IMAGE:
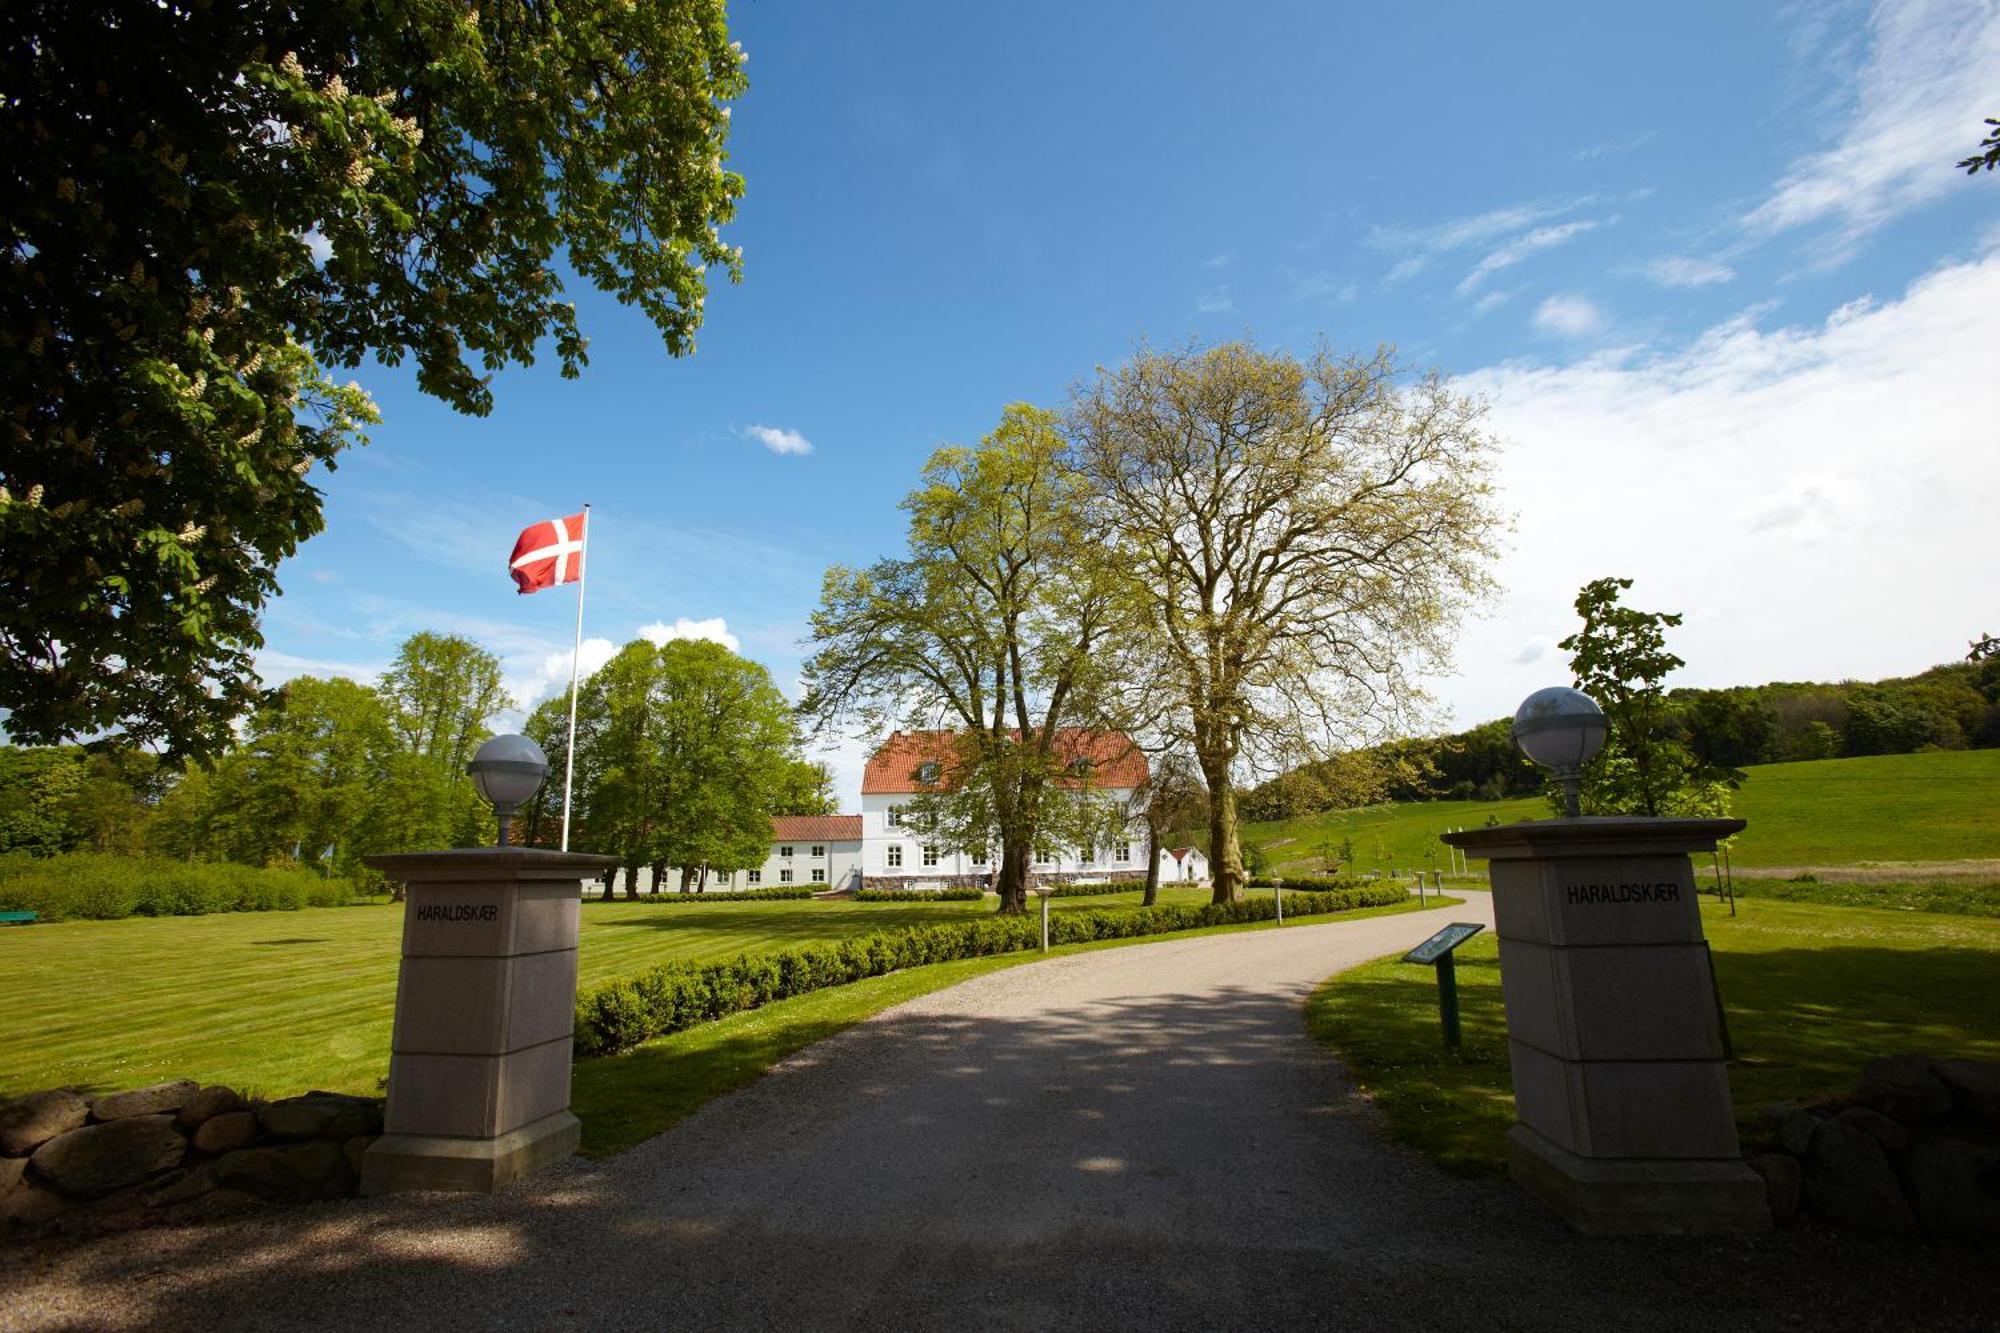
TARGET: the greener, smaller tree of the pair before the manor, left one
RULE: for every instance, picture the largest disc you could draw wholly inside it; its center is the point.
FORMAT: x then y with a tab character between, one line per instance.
991	623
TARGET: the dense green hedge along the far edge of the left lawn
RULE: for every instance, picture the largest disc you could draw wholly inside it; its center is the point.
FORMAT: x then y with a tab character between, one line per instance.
101	888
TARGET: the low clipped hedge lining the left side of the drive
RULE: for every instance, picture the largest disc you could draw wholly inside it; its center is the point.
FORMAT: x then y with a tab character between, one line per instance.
679	996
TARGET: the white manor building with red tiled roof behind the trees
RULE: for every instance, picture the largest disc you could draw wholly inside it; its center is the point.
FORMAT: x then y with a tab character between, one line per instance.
849	852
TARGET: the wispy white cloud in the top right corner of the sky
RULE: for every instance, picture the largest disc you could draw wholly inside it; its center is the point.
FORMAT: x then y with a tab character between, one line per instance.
1923	91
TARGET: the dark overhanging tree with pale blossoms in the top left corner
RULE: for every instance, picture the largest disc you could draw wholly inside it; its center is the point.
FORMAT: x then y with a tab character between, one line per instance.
213	203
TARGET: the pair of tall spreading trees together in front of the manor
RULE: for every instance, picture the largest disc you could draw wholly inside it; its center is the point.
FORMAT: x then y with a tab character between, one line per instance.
1229	553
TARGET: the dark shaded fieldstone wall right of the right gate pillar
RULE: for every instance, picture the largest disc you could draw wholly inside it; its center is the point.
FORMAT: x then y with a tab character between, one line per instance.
1913	1150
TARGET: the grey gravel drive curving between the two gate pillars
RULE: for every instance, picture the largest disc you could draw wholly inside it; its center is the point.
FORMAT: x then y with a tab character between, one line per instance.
1137	1138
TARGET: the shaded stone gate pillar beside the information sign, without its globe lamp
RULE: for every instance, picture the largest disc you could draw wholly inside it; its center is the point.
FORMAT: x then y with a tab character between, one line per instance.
1615	1028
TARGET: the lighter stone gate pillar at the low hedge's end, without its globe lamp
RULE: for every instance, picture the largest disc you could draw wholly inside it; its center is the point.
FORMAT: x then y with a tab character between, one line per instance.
479	1080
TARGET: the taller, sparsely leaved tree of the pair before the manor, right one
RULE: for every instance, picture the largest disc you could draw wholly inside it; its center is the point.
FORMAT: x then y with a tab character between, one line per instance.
1301	537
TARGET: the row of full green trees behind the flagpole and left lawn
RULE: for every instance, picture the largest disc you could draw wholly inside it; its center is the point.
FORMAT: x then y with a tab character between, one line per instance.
683	756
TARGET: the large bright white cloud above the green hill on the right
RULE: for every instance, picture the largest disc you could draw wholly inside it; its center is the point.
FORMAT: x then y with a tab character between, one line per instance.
1825	489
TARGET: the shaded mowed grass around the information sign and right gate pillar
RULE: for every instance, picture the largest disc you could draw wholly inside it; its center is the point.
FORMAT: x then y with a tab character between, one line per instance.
1811	992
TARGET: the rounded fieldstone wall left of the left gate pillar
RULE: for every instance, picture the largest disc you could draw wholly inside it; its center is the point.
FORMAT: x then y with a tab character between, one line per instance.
175	1150
